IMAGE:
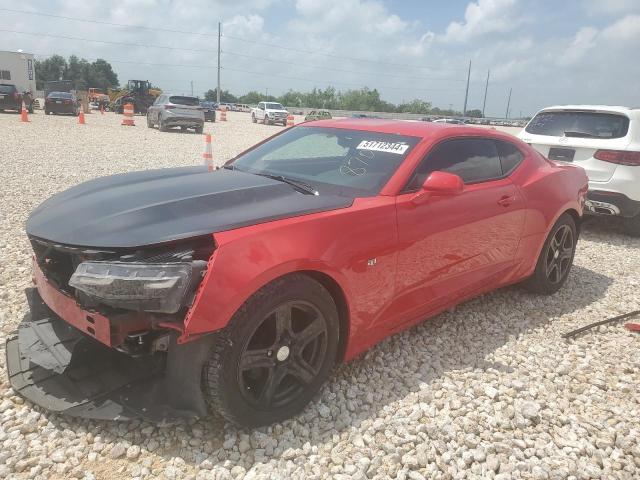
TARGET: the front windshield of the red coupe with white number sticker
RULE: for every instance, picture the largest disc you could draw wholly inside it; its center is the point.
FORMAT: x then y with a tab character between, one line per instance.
332	160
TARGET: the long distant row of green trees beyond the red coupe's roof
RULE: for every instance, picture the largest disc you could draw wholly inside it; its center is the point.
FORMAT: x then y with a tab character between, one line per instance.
363	99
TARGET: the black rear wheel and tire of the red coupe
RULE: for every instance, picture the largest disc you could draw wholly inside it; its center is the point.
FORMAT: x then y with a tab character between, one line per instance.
556	258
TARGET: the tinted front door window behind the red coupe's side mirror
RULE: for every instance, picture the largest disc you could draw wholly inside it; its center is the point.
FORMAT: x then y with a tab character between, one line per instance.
473	159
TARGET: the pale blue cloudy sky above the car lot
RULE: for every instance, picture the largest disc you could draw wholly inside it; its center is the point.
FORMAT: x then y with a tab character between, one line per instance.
547	52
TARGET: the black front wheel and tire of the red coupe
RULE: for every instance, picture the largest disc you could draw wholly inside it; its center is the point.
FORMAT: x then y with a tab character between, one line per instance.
275	354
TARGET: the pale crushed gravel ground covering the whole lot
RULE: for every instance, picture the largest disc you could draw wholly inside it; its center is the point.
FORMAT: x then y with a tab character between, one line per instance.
488	390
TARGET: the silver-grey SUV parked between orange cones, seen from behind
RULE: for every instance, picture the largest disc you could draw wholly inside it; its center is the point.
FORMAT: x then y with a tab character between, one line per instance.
176	111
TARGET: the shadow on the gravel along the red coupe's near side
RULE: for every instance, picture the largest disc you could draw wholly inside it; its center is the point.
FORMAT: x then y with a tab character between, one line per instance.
422	359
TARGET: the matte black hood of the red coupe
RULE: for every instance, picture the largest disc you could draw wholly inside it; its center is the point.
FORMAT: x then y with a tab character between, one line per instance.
156	206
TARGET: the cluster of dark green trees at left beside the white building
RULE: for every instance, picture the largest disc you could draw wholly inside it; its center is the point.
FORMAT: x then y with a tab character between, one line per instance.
82	73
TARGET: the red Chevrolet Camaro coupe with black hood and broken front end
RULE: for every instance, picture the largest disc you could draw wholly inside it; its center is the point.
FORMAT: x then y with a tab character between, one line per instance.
170	293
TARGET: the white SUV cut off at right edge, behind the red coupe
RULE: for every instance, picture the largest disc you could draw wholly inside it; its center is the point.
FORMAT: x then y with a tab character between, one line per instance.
603	140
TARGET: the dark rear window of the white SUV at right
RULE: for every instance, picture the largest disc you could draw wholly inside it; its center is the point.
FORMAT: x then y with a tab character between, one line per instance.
579	124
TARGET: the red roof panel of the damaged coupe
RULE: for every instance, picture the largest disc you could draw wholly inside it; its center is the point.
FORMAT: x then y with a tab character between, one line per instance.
413	128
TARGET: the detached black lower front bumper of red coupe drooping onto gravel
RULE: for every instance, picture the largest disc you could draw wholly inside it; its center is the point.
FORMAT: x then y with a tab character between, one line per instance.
60	368
